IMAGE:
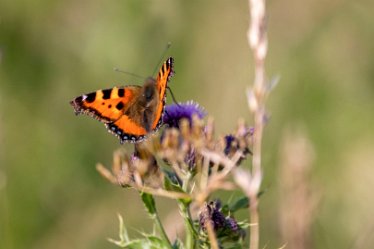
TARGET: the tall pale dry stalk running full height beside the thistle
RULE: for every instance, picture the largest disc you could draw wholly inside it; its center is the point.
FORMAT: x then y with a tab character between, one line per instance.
257	39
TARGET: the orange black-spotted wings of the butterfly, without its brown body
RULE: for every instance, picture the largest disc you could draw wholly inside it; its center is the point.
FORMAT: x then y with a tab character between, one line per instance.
110	106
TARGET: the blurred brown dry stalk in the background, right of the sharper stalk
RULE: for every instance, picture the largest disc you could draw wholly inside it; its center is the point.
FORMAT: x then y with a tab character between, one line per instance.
297	198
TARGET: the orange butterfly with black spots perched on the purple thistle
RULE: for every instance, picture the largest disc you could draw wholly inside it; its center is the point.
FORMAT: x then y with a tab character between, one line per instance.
129	112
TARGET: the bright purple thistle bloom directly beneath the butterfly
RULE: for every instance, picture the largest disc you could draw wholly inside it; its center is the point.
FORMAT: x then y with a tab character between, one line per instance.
175	112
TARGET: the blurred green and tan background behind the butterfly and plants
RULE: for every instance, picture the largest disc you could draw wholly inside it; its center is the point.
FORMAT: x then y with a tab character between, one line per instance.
52	51
